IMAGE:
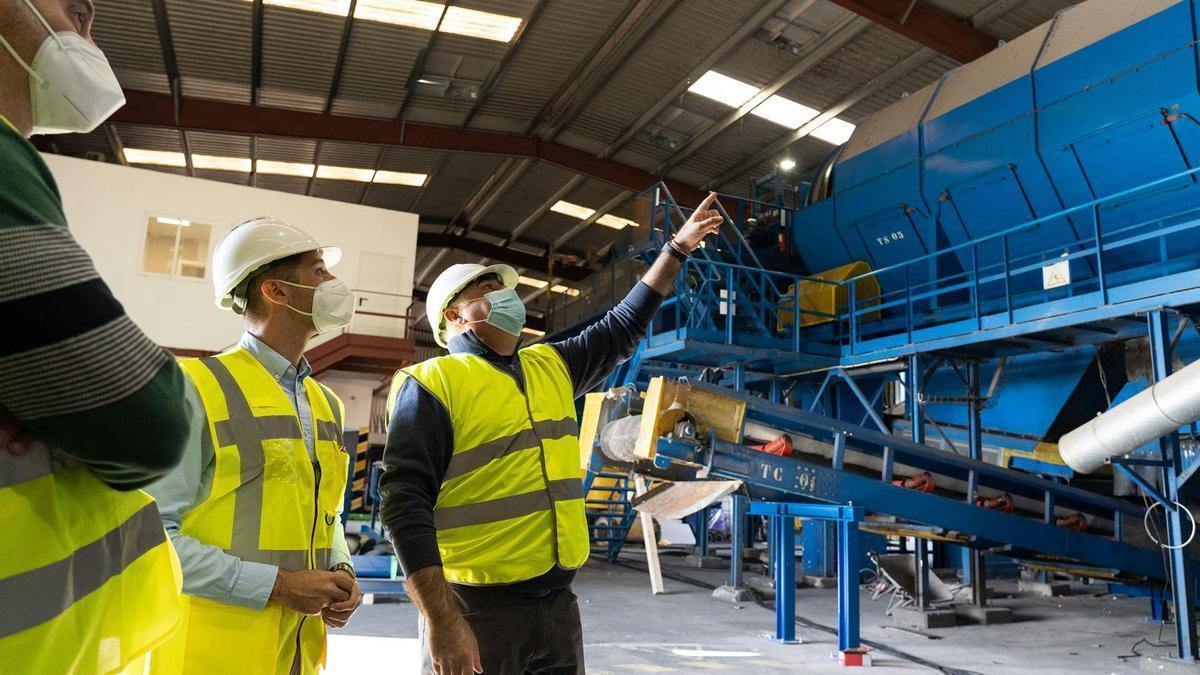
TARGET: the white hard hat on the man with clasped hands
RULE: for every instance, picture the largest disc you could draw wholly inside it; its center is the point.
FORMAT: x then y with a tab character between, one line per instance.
254	244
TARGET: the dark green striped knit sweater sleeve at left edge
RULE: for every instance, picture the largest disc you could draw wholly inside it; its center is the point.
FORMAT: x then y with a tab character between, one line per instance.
74	367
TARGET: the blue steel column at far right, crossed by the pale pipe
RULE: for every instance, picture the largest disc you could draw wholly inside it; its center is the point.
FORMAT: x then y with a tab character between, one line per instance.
1169	447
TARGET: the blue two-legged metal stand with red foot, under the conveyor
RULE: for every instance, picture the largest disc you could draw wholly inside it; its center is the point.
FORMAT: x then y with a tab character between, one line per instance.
783	525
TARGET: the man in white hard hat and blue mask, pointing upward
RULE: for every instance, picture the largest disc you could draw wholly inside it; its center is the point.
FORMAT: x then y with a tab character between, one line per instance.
482	491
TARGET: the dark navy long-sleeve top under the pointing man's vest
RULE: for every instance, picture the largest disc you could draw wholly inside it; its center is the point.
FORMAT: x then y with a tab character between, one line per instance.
421	439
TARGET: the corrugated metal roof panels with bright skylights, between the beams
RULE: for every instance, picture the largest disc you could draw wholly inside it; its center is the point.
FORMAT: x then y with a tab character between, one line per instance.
213	43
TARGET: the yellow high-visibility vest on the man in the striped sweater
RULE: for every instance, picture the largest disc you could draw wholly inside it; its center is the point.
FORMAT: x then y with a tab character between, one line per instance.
89	582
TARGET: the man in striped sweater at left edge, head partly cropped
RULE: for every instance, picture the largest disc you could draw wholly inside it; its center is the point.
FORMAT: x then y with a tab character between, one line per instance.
92	409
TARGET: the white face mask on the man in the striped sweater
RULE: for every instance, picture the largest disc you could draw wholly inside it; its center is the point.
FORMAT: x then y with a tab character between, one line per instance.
73	88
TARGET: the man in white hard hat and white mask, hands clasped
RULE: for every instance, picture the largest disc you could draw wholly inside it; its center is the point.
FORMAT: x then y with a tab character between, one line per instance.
255	509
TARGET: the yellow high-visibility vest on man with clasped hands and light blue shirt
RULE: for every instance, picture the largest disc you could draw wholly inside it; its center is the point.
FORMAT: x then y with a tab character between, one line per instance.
269	503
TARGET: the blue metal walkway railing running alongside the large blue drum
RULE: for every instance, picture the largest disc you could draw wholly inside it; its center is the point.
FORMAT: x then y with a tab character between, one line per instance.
725	288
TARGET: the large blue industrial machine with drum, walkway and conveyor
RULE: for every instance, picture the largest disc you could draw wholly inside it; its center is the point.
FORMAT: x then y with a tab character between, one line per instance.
986	265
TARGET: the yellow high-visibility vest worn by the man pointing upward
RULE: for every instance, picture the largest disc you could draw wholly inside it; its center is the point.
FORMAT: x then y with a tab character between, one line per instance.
512	503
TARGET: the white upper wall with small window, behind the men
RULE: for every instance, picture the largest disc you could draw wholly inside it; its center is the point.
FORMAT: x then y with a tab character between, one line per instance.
131	222
